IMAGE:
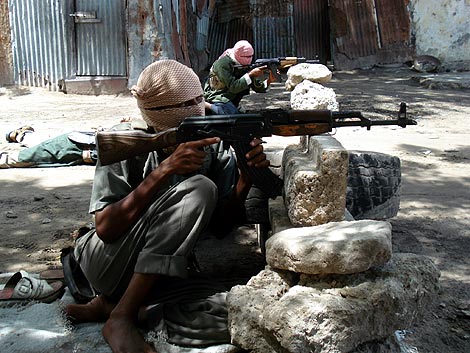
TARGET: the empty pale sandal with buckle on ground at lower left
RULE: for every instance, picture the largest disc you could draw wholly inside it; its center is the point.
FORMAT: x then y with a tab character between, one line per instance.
23	287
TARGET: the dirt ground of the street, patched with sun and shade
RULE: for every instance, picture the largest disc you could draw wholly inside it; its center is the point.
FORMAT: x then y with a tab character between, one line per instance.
42	207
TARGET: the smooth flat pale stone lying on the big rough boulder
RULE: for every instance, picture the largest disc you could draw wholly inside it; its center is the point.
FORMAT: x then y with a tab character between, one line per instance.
336	247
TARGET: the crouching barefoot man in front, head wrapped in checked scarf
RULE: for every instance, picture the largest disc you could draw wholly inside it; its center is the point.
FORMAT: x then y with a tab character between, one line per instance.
150	209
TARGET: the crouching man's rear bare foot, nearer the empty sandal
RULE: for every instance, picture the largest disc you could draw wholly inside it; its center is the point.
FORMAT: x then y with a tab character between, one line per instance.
97	310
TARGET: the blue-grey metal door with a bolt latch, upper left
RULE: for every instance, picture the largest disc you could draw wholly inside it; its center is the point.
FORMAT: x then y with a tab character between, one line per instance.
100	37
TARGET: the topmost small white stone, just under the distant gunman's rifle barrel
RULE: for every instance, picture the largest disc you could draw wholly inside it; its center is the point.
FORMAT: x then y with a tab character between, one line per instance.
318	73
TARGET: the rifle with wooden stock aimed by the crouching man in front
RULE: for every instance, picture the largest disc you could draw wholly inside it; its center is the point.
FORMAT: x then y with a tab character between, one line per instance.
238	130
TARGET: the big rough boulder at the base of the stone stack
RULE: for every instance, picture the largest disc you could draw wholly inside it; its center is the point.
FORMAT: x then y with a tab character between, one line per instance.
334	313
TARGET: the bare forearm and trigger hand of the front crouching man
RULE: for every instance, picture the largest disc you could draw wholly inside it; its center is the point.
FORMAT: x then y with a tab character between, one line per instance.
117	218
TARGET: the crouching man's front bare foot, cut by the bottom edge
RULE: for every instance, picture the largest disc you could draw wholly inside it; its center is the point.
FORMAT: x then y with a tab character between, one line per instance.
124	337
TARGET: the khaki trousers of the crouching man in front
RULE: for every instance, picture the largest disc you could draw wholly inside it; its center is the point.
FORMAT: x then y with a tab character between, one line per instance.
159	243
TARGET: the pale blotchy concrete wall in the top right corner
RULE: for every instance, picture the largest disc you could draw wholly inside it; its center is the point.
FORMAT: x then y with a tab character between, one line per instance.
442	29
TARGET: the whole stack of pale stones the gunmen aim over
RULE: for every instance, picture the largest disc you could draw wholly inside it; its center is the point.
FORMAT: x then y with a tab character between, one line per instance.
331	284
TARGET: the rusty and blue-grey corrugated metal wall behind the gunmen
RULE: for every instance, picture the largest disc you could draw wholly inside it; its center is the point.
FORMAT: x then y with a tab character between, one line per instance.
196	32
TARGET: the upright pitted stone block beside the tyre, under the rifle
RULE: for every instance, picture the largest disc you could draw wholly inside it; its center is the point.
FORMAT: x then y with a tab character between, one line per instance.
315	181
